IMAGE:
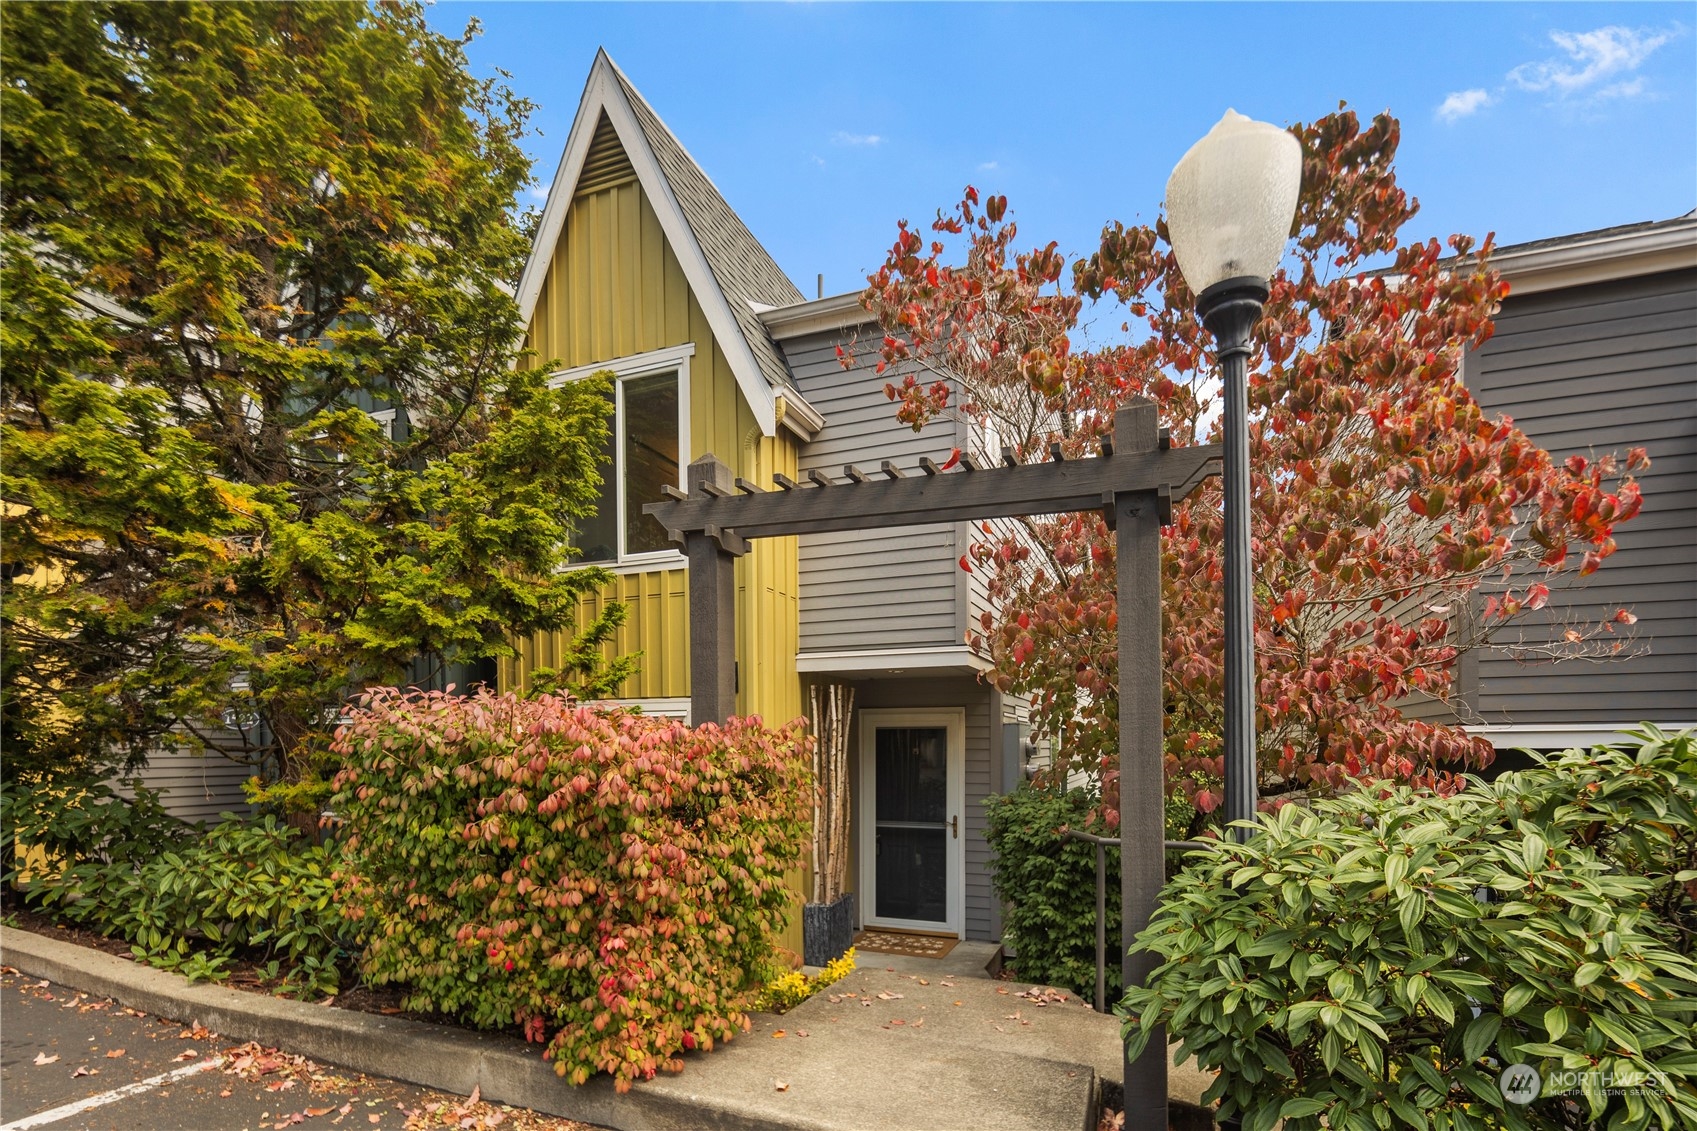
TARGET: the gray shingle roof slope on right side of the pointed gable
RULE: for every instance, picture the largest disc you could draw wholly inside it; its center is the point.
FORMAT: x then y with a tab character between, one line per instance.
741	266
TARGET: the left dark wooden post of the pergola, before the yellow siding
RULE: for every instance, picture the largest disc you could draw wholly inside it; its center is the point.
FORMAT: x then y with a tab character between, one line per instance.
712	607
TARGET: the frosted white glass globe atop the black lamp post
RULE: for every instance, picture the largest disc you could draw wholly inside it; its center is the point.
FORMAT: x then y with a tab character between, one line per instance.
1231	201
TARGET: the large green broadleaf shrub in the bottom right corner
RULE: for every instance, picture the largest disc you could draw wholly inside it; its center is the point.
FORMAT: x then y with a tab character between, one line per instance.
1382	959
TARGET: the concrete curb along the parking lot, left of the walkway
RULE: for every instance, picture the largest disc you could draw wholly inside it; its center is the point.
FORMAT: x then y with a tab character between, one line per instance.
437	1057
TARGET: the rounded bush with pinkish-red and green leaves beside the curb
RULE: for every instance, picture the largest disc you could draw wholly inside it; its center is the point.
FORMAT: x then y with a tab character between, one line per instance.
608	881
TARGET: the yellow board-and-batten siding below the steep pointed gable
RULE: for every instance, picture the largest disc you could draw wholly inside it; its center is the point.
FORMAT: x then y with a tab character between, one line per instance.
615	290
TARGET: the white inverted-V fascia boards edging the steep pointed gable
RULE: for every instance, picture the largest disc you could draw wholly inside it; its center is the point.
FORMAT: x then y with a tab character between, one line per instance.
605	94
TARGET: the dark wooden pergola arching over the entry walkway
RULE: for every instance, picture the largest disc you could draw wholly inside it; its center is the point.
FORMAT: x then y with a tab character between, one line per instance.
1133	483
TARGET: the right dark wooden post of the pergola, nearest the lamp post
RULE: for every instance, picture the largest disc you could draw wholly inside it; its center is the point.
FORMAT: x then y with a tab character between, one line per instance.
1143	724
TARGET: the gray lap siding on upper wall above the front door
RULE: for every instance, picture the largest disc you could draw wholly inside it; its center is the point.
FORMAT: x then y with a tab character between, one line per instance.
871	590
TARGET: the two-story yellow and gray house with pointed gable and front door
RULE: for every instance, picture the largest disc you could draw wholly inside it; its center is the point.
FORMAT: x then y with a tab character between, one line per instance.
642	269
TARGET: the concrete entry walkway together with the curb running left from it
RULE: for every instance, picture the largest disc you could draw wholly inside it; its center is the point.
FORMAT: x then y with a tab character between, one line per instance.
905	1052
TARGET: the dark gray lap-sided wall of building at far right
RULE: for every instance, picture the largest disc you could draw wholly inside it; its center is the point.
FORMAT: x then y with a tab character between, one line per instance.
1588	371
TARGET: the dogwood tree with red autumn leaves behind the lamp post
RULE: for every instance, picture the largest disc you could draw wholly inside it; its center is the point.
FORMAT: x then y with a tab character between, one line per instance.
1384	497
